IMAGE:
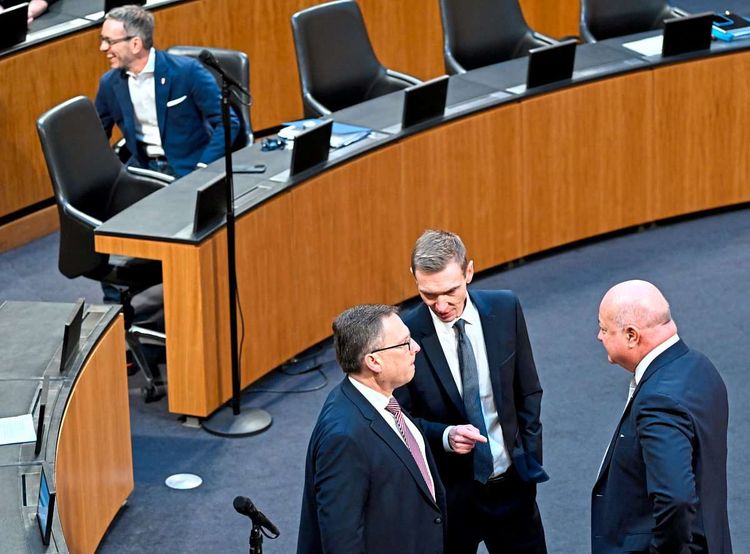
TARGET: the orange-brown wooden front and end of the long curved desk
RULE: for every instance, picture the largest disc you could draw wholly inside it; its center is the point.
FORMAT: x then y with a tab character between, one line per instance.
513	180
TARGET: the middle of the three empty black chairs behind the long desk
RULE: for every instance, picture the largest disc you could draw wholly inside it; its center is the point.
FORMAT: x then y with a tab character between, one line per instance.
477	33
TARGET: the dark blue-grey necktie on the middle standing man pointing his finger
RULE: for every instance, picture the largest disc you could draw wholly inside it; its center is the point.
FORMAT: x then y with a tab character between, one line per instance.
483	464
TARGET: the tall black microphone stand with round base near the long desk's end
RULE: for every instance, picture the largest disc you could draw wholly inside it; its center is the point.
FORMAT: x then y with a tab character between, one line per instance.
236	423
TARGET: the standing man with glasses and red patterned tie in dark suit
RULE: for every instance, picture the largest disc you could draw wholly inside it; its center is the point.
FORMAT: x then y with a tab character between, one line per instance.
370	481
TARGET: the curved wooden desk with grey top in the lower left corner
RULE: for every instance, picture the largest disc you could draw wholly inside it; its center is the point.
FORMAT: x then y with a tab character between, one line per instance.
86	439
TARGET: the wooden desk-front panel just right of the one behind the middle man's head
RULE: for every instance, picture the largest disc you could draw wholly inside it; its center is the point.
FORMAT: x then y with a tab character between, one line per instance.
588	157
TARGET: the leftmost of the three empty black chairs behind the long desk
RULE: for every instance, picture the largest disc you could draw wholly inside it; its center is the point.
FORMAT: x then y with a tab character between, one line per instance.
336	63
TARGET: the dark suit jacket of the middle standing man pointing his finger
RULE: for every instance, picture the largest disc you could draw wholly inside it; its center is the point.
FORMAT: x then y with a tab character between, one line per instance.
432	396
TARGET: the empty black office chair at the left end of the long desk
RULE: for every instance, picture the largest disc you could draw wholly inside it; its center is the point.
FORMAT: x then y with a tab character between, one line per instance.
91	185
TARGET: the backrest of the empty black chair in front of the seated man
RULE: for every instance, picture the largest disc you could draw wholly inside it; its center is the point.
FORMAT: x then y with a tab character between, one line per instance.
83	169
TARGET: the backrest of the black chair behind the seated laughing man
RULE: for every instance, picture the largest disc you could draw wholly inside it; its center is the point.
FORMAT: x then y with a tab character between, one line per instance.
237	64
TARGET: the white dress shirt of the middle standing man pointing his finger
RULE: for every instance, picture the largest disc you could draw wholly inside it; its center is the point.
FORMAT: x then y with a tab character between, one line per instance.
449	342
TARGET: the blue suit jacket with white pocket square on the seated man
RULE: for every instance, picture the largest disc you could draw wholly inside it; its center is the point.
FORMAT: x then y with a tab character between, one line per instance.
188	110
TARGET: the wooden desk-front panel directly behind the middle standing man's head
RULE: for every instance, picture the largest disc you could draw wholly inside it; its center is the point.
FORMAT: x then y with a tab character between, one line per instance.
466	177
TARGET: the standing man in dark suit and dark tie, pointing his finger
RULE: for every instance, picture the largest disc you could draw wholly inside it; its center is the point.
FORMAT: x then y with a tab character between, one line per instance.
477	396
